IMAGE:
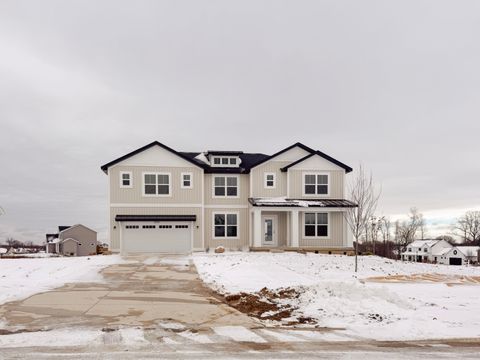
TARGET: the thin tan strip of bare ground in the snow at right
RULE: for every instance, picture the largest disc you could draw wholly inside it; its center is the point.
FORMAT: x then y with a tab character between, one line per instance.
450	280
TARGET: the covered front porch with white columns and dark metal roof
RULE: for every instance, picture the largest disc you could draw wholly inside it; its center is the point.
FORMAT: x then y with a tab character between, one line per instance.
289	224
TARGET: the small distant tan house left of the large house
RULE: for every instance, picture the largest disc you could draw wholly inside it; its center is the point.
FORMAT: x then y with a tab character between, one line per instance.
76	240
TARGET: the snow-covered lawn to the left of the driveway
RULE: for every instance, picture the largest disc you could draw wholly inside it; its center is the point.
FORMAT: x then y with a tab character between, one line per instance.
20	278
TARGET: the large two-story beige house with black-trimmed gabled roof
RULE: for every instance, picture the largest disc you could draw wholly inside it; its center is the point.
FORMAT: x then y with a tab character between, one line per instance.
162	200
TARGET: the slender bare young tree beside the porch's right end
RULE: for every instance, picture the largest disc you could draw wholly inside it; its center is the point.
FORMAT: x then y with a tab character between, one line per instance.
361	192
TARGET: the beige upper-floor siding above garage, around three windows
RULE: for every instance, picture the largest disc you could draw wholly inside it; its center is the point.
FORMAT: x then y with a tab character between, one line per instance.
134	194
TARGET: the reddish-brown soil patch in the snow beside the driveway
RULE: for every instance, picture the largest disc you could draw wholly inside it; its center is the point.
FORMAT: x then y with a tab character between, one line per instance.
267	305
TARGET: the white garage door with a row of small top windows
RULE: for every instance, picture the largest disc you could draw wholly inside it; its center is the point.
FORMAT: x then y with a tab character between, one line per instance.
163	237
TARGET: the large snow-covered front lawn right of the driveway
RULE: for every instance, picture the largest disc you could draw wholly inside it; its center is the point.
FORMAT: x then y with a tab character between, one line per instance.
332	294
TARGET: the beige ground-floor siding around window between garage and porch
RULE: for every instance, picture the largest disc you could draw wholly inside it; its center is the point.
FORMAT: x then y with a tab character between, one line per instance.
243	232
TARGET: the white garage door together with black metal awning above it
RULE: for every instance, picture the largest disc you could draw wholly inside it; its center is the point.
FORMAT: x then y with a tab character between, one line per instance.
156	233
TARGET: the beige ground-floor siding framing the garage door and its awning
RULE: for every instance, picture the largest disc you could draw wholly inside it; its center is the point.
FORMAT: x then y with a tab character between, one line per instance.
115	226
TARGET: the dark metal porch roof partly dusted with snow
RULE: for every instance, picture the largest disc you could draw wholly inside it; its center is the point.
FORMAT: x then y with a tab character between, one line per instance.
284	202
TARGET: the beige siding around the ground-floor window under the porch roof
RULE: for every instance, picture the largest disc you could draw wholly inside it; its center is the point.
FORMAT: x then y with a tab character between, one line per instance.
336	230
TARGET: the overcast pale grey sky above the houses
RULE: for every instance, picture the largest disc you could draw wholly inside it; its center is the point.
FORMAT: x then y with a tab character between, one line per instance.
394	85
